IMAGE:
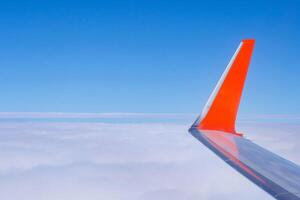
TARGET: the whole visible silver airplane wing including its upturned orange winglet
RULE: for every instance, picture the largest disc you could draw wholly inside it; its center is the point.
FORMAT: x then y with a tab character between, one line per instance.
215	128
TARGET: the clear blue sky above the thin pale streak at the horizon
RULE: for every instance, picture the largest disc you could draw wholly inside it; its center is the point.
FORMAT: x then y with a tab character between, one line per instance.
144	56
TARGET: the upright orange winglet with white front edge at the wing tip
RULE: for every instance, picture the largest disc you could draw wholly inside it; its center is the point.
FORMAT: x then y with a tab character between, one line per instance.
221	109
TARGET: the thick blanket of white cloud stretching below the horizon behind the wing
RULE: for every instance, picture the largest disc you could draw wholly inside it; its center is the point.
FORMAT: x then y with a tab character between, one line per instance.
41	161
